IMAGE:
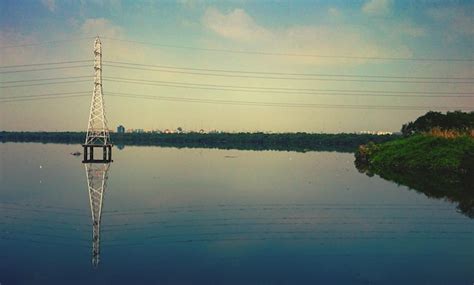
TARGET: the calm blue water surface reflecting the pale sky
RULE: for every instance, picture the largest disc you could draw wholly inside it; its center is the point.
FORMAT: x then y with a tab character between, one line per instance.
192	216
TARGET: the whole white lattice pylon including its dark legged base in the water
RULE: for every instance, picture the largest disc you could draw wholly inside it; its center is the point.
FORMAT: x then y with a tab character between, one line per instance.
97	131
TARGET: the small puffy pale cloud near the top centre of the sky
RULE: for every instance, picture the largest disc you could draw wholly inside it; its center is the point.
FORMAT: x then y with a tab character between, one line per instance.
235	25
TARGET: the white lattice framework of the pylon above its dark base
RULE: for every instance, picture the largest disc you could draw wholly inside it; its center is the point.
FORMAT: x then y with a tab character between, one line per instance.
97	130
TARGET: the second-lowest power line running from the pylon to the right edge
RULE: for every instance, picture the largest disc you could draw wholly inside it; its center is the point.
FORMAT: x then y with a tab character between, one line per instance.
234	88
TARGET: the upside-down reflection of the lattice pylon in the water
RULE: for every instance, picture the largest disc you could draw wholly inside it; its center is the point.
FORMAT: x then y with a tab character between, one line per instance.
97	174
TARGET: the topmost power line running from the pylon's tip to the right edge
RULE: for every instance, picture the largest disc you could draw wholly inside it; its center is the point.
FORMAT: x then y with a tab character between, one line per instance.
292	54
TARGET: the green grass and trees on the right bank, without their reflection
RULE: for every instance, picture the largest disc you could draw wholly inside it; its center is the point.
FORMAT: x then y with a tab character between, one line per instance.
434	142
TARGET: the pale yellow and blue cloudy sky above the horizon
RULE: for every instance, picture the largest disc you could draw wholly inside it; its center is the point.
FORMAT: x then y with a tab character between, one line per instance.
292	65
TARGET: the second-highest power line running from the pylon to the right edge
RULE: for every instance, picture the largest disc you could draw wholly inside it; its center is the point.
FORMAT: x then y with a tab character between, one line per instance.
288	74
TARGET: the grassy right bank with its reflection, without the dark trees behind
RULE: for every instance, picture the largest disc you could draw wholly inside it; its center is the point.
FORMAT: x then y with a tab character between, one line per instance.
435	166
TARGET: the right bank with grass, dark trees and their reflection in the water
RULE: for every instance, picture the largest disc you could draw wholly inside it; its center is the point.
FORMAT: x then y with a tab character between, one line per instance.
435	157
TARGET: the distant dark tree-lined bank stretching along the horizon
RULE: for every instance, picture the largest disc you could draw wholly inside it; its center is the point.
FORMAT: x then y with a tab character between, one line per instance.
300	142
